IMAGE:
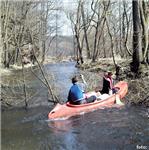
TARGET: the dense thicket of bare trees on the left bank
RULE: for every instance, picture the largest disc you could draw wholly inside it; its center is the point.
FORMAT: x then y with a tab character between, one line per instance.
25	28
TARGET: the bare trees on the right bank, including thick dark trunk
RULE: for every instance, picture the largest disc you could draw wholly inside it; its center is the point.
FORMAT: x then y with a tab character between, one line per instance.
112	28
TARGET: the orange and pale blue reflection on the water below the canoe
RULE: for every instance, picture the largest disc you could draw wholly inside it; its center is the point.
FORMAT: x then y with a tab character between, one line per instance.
66	134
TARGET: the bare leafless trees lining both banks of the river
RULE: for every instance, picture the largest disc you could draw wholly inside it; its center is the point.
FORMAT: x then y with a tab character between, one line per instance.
104	28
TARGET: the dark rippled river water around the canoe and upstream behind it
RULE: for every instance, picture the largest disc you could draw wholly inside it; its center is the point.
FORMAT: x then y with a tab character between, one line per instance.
106	129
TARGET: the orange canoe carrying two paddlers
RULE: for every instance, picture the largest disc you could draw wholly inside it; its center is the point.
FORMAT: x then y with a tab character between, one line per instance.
67	110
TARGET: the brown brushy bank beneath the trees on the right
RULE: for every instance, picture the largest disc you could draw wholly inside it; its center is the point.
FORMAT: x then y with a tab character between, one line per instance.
138	92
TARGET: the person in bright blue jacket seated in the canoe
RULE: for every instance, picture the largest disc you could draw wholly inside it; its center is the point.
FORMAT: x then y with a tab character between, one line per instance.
76	94
